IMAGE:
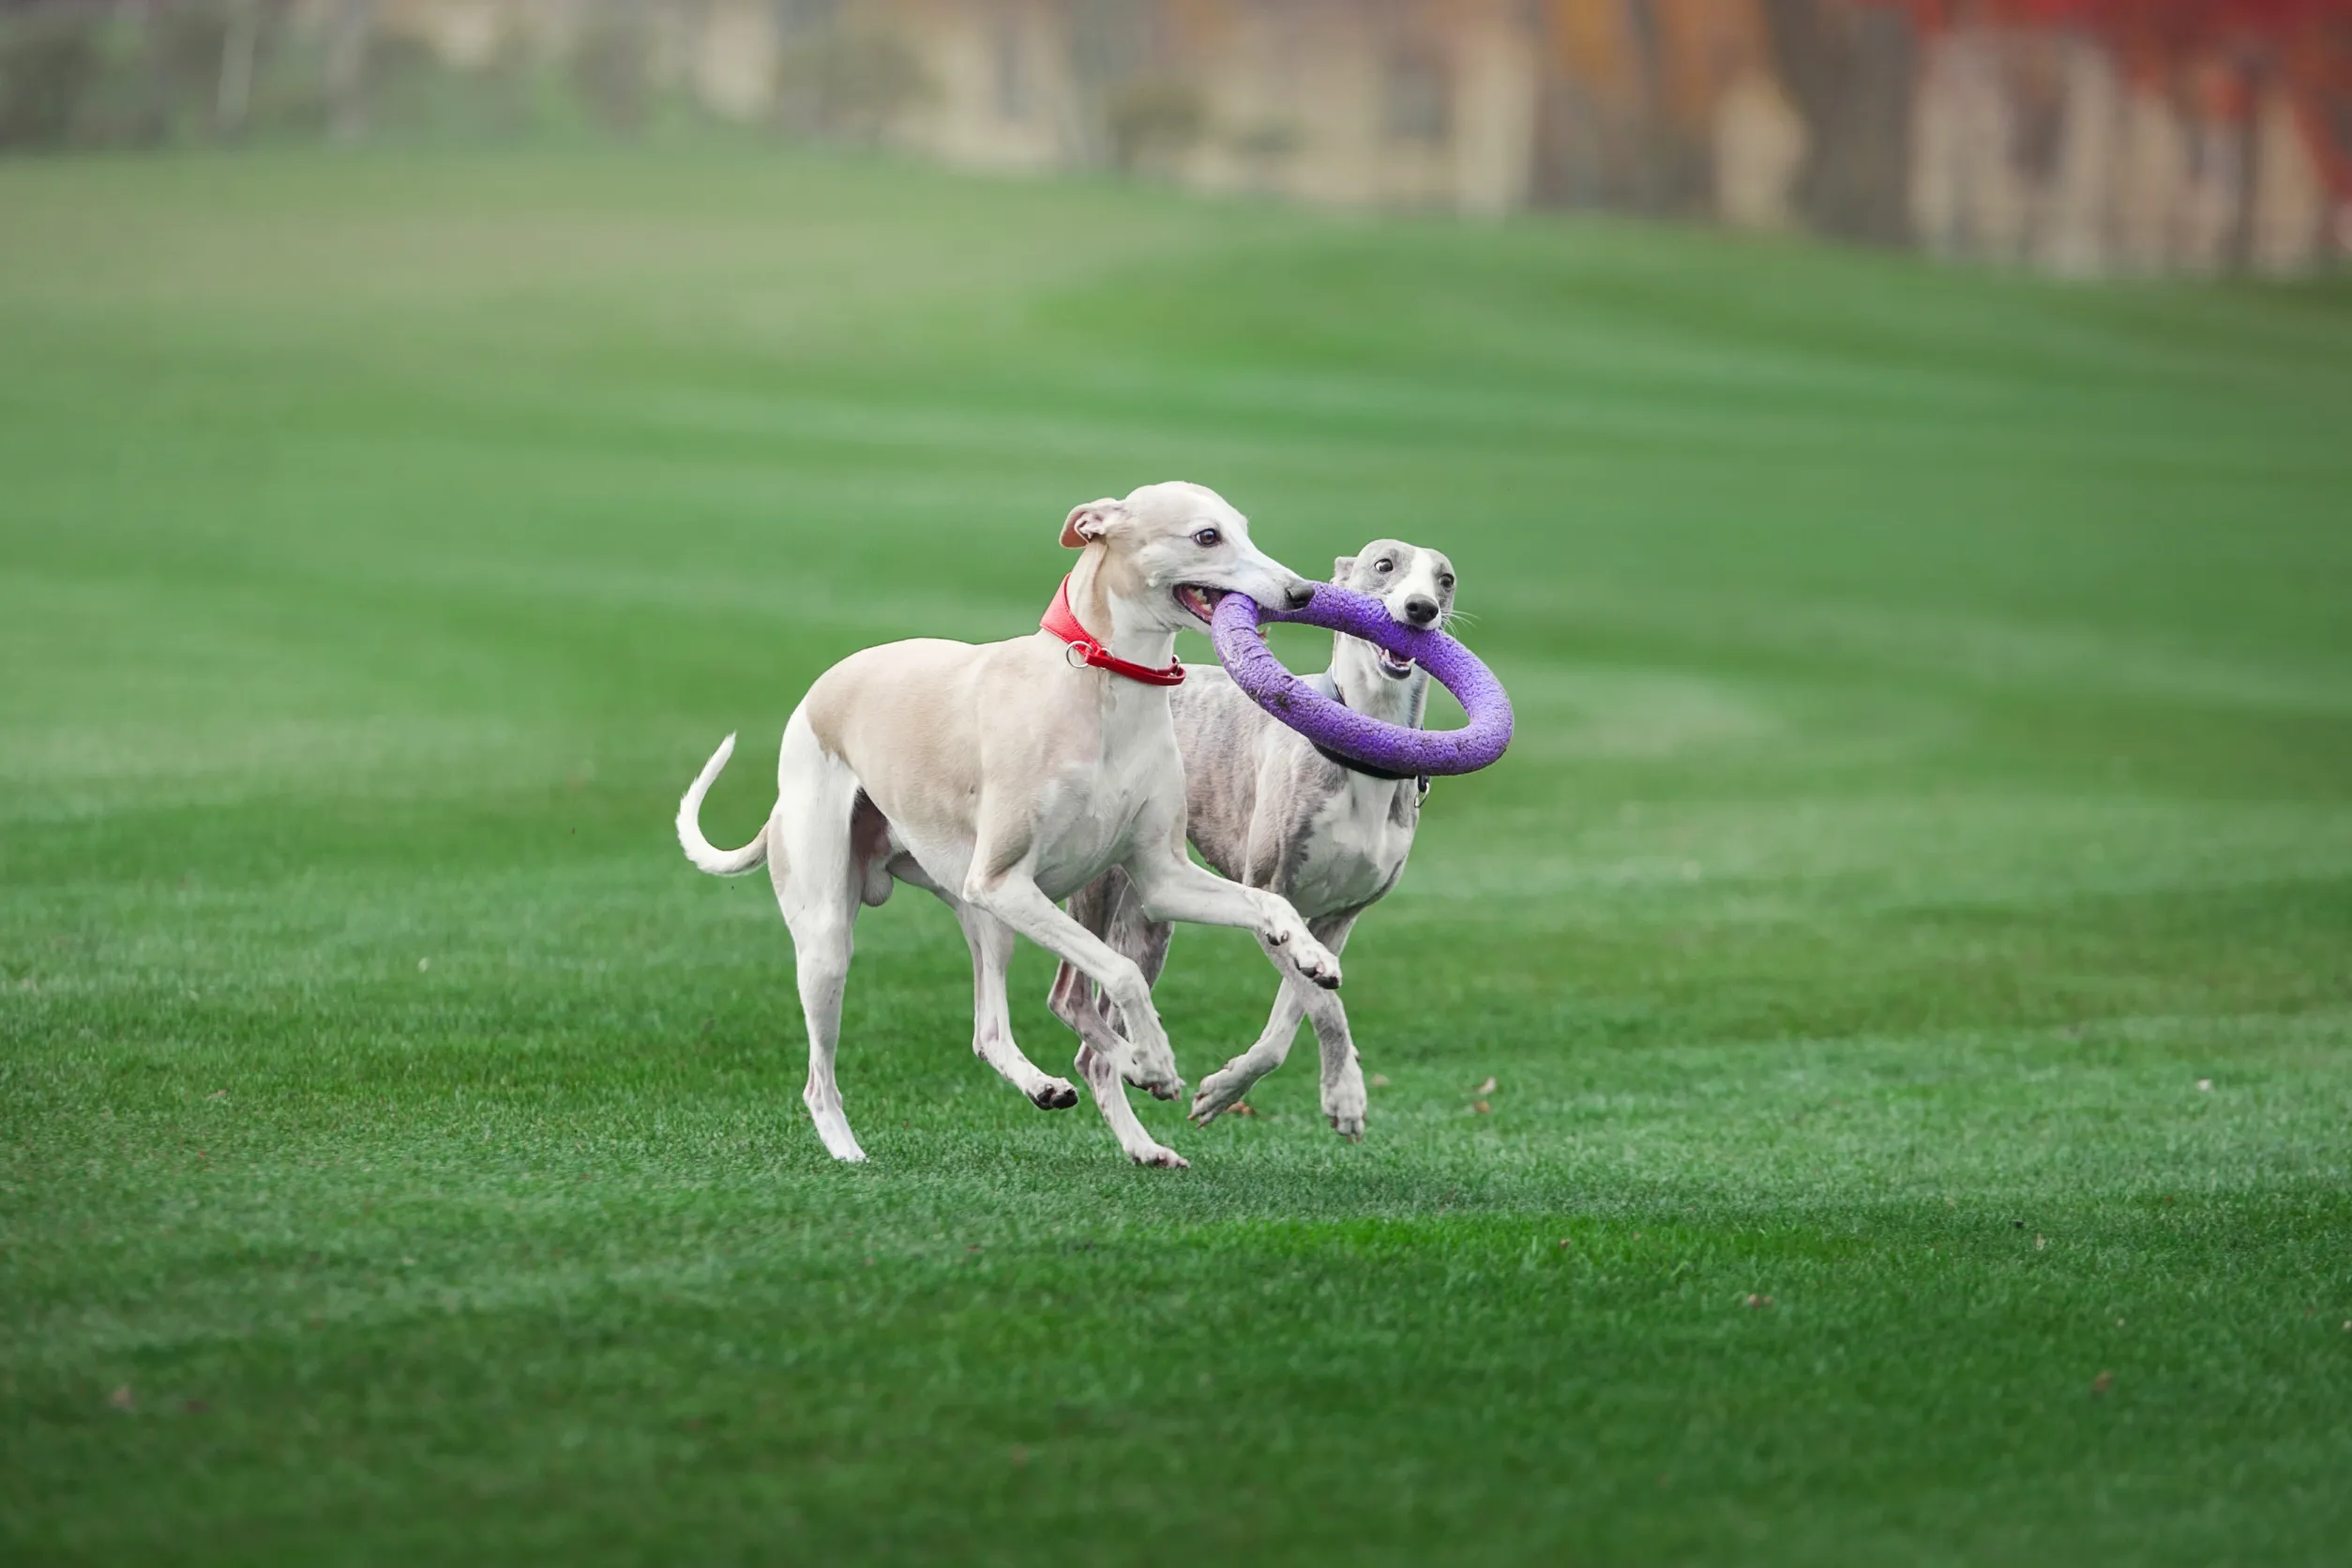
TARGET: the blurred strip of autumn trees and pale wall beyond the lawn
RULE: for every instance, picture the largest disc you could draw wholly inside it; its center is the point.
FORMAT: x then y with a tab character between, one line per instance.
2083	138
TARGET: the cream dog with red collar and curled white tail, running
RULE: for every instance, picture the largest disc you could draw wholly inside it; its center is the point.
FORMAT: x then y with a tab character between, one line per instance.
1008	777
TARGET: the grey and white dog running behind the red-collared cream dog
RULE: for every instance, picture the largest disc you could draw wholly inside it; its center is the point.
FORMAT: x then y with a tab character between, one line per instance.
1276	812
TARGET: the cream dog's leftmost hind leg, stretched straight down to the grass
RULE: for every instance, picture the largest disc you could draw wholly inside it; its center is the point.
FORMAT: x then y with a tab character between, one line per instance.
820	887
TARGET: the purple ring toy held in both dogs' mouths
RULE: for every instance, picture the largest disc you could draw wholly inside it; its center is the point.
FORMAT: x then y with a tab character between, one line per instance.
1384	749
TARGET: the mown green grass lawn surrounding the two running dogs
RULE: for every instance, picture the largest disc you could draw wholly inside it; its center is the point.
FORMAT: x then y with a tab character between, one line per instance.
1920	892
